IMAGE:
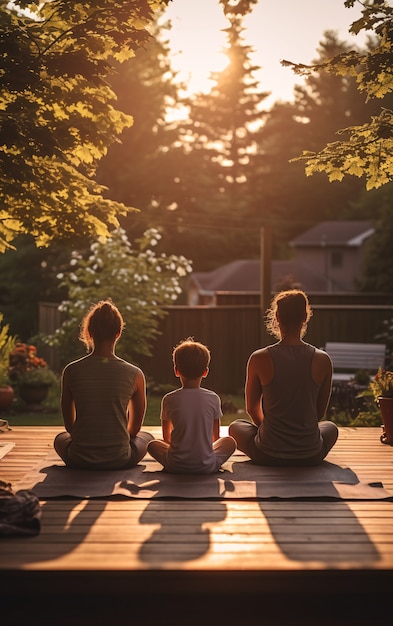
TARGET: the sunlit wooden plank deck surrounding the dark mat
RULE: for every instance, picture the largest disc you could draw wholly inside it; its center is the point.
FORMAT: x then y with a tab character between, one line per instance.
212	562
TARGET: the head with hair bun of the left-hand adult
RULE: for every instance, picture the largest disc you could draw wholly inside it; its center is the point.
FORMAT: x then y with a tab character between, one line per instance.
103	322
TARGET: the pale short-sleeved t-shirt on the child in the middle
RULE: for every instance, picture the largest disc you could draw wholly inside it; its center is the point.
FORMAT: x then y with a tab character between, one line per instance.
192	413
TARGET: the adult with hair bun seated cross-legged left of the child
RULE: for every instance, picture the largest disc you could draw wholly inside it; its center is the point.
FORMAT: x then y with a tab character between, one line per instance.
103	399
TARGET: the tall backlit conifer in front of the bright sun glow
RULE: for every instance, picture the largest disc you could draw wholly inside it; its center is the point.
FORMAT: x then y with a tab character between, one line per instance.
219	139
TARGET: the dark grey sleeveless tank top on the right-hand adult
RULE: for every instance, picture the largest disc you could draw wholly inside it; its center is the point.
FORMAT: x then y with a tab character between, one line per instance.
289	402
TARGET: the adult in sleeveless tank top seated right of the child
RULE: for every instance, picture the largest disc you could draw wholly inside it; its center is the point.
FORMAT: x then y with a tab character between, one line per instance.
287	392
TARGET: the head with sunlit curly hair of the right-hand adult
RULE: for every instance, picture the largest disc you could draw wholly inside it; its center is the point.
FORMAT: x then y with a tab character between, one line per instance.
293	310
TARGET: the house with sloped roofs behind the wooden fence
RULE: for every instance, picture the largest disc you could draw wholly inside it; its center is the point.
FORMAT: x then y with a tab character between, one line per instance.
327	258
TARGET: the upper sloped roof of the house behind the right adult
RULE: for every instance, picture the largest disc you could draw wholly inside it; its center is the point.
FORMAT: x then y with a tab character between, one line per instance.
345	233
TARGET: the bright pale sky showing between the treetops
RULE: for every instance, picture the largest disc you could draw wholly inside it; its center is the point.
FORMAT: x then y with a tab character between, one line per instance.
276	30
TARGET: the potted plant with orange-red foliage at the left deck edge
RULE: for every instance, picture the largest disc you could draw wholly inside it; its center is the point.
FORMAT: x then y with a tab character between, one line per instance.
30	373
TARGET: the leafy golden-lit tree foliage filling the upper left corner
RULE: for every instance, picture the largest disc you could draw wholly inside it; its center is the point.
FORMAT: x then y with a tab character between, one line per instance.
58	113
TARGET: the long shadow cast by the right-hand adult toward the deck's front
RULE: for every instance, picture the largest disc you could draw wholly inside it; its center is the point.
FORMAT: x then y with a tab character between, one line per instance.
331	534
